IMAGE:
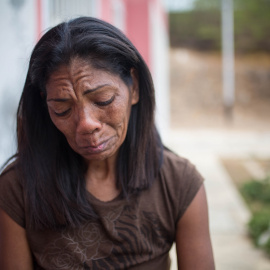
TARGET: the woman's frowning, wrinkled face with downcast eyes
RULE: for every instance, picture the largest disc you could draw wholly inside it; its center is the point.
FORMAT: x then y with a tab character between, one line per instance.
91	107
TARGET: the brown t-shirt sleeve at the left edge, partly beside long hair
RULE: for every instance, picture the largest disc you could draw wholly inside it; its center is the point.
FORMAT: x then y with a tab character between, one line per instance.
11	195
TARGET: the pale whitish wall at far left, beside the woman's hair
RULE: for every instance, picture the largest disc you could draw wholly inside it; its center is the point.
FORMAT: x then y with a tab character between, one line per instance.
17	35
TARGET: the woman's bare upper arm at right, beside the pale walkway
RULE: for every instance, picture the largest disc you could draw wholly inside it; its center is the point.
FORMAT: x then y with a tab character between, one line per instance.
193	244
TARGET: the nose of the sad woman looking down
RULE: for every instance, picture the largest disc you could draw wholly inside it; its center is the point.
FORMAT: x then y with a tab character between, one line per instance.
87	121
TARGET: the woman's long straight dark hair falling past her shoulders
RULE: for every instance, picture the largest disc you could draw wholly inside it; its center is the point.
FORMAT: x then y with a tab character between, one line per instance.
52	173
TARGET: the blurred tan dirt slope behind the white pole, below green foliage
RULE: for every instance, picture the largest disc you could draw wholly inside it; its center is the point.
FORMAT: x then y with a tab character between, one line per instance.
196	91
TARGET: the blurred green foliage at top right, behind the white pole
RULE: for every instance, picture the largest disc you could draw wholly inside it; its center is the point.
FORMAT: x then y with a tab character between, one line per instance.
200	28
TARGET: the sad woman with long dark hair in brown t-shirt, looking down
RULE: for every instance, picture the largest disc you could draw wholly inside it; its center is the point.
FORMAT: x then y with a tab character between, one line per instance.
92	186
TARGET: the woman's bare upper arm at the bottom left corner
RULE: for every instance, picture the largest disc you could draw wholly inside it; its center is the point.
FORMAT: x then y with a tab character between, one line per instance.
14	249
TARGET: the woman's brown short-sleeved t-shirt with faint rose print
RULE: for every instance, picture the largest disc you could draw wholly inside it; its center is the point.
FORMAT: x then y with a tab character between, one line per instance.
131	234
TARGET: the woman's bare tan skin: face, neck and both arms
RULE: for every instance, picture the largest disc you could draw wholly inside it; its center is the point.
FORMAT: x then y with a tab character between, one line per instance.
91	108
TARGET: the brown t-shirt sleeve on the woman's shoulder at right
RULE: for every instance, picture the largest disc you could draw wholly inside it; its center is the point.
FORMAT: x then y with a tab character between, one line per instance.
190	183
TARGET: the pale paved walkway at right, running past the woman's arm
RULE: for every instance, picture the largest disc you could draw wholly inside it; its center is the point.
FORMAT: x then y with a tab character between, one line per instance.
228	214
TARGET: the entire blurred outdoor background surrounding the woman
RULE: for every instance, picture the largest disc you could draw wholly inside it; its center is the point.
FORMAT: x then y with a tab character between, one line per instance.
210	61
